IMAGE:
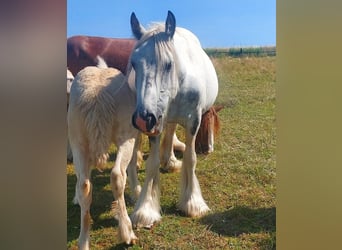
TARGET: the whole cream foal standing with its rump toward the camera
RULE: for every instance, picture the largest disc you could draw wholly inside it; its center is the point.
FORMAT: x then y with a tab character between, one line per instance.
100	108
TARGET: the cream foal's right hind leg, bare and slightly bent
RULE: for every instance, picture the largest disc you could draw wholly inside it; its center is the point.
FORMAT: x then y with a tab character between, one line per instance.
118	181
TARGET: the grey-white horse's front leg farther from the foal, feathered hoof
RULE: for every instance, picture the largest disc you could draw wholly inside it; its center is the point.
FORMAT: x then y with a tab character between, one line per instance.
191	200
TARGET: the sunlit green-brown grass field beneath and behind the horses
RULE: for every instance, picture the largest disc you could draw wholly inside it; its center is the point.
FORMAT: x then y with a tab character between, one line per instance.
238	179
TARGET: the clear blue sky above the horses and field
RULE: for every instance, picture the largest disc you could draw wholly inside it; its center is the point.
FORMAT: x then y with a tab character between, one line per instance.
217	23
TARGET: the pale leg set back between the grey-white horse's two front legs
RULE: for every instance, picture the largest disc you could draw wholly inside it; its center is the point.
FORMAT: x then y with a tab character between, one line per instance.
168	159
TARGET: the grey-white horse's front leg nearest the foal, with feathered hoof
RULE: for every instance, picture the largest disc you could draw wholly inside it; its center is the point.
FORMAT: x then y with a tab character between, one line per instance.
147	208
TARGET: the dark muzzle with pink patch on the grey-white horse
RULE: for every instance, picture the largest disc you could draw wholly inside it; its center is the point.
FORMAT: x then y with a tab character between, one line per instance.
145	122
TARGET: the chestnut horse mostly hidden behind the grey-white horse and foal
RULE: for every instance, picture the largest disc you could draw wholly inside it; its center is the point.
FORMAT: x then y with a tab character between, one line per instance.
83	51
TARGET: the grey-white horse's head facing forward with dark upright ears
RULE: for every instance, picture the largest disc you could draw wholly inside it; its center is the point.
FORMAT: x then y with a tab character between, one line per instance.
153	62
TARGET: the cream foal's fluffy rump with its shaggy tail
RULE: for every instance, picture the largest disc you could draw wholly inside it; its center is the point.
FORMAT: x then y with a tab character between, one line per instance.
99	103
